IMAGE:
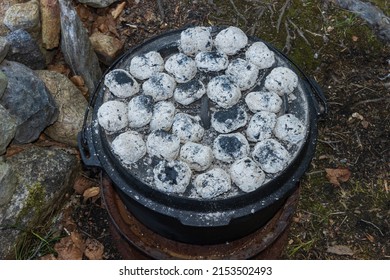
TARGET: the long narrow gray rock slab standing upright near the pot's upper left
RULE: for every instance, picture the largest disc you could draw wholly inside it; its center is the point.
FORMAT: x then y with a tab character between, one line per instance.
76	47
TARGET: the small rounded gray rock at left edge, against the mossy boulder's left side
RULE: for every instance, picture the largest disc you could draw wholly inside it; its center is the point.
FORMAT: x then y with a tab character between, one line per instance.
8	183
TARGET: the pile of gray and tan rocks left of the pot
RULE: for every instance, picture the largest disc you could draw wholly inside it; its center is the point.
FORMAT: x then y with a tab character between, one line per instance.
36	101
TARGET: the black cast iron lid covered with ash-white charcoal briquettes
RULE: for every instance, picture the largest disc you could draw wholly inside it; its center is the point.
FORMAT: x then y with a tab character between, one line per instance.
267	115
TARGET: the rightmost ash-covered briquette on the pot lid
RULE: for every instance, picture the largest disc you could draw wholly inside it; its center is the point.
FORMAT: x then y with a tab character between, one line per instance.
289	128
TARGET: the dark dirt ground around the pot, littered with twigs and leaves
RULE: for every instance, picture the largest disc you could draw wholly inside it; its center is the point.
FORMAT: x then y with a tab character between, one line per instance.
344	207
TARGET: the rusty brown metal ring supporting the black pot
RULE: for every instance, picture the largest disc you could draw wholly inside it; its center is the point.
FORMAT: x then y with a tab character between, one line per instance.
135	241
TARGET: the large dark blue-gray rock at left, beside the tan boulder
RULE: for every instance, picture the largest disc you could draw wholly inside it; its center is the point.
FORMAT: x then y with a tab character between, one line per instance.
28	100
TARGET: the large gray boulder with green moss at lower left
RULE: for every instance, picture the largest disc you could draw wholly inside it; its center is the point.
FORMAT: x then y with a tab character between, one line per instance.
44	175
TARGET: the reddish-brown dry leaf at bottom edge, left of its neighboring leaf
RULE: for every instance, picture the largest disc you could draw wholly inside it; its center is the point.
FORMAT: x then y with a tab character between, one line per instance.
70	247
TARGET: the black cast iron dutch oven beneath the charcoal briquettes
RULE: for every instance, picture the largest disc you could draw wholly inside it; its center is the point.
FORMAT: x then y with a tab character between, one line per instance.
187	219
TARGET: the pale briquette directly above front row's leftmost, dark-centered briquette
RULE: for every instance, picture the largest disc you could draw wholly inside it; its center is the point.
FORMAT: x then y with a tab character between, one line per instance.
163	145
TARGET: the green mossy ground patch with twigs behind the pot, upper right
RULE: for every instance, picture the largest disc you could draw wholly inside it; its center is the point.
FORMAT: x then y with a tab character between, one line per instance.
301	30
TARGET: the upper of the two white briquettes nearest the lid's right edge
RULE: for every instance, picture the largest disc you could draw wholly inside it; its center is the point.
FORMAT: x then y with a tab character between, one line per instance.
281	80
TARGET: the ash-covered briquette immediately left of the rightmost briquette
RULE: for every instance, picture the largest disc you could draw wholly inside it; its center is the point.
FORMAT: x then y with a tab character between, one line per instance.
261	126
